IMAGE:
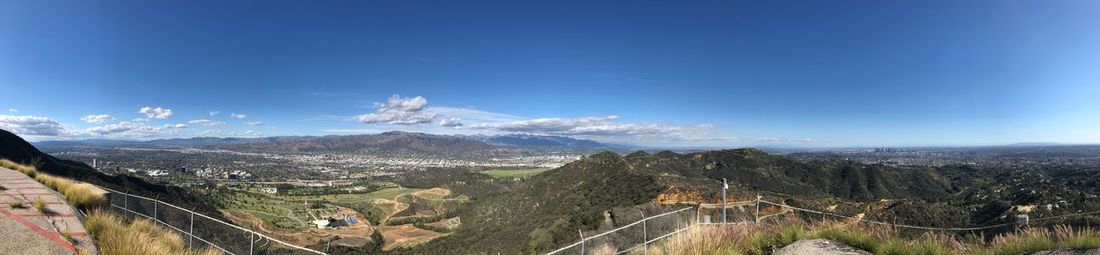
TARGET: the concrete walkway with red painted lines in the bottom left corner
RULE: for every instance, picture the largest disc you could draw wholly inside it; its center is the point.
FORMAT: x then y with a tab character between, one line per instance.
27	231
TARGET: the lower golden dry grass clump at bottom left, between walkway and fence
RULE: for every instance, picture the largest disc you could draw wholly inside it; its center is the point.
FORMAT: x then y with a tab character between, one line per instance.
117	237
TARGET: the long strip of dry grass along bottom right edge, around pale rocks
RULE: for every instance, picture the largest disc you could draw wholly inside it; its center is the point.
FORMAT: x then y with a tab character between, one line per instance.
765	239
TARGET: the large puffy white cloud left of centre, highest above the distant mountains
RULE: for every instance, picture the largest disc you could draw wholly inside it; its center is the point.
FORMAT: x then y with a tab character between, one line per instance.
398	110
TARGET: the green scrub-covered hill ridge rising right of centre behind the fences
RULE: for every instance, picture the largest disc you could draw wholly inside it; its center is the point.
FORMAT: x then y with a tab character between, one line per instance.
606	191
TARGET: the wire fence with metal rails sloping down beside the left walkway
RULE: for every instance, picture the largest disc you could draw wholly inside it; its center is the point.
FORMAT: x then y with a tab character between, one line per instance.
199	231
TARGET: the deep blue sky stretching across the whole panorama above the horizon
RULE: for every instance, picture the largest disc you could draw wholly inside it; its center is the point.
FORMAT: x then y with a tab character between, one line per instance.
647	73
